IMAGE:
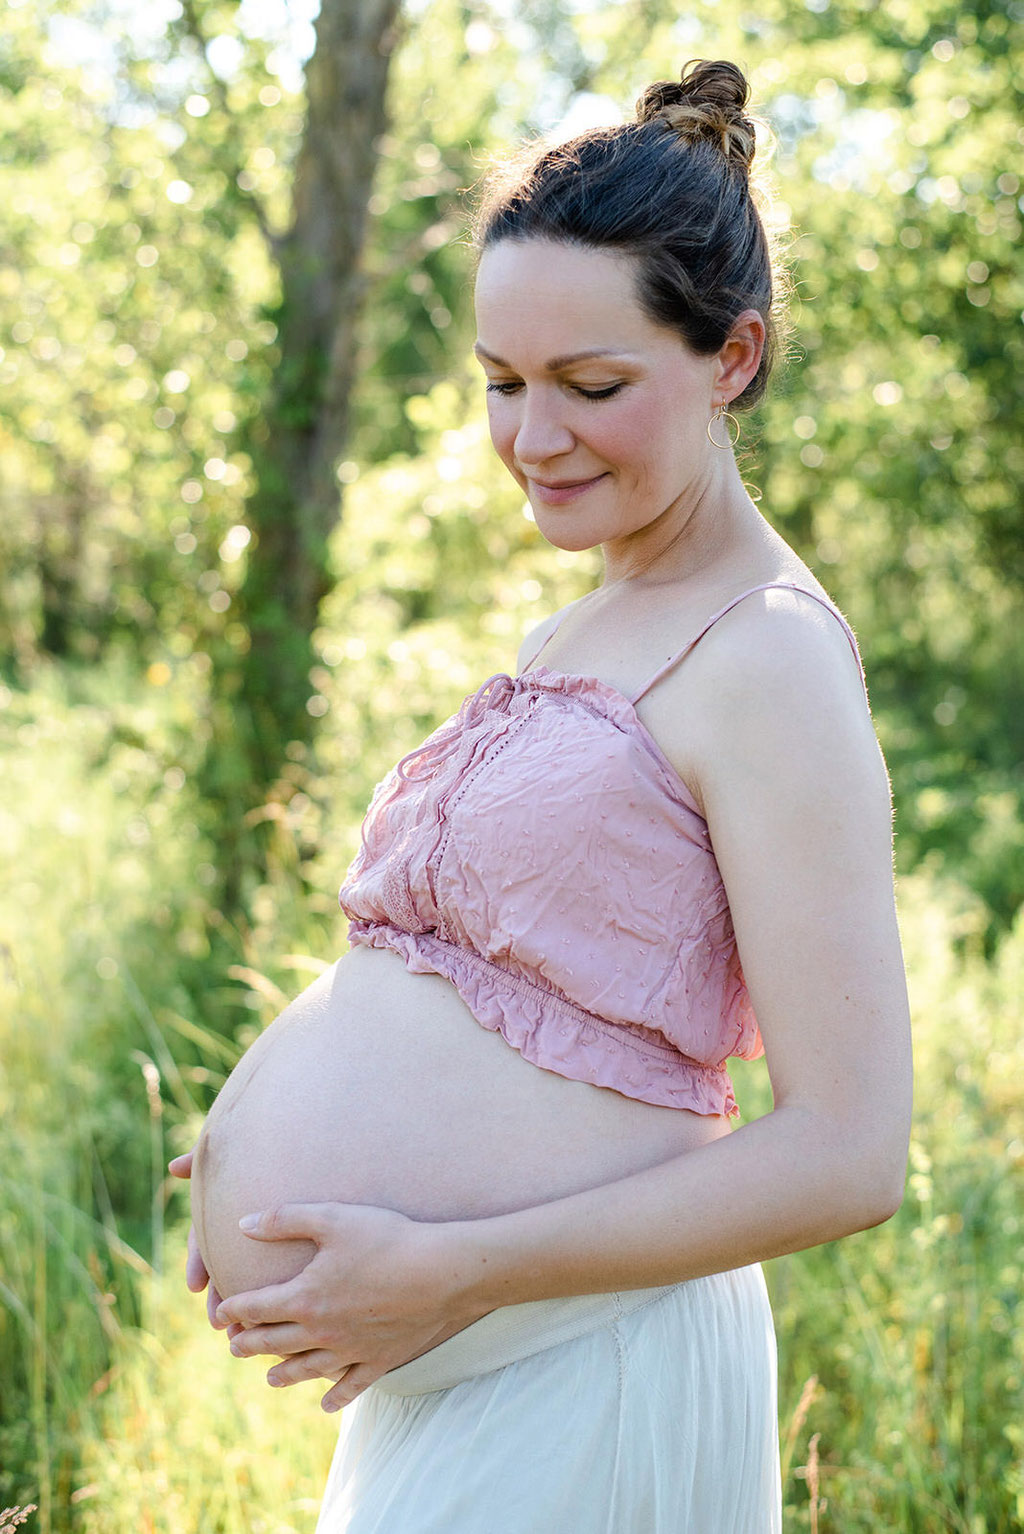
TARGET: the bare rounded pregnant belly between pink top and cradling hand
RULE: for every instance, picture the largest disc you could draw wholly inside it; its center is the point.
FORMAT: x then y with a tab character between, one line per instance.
378	1087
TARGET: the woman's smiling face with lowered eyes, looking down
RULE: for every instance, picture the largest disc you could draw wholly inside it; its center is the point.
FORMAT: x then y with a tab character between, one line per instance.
599	413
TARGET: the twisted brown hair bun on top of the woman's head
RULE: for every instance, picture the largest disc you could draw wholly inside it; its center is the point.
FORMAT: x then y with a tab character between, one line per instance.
707	104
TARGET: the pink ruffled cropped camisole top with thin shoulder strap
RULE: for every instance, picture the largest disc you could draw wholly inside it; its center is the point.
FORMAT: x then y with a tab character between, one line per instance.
540	852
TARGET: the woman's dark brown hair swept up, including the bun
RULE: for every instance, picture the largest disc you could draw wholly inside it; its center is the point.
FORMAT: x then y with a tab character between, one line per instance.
671	189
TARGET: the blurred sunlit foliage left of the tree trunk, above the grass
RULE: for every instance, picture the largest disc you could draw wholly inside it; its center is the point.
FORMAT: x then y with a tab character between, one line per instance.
128	306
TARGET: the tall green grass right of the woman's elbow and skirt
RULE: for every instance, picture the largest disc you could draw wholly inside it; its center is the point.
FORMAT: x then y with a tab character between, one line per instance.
916	1331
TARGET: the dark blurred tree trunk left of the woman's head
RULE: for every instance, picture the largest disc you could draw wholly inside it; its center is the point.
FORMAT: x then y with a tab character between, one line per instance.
306	424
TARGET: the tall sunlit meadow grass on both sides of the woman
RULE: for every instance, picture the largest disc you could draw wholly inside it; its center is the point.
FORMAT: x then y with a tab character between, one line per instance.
902	1349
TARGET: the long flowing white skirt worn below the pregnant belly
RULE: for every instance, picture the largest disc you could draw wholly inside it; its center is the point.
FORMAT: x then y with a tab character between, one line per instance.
649	1412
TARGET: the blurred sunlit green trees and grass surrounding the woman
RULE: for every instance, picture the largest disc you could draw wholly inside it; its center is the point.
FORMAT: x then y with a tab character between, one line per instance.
174	835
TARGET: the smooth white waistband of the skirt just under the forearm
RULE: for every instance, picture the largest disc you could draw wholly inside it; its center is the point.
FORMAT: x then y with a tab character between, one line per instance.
514	1332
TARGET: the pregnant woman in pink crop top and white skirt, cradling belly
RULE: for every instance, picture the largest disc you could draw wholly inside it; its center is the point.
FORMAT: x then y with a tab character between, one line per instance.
496	1193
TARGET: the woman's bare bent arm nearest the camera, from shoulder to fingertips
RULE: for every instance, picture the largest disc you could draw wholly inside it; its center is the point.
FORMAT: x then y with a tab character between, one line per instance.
798	803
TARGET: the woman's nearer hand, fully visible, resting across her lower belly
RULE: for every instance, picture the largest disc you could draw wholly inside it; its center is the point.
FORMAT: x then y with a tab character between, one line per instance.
381	1291
